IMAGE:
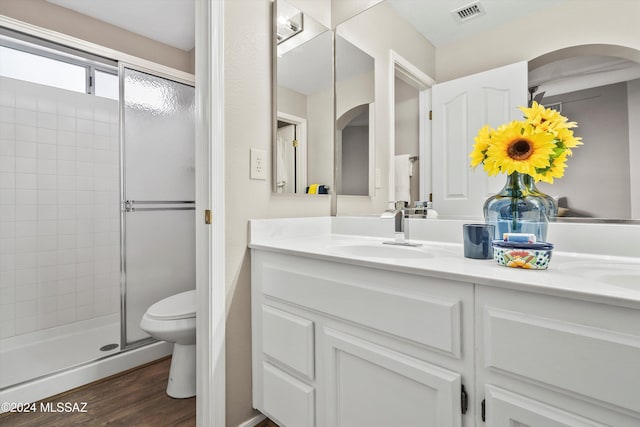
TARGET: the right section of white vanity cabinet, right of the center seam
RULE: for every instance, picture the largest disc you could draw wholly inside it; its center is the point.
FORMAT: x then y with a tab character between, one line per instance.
546	361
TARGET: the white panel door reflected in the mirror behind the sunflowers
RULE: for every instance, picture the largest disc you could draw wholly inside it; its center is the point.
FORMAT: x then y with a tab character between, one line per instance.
460	108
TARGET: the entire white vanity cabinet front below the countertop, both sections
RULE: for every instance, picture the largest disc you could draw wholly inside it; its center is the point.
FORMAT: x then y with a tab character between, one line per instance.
354	343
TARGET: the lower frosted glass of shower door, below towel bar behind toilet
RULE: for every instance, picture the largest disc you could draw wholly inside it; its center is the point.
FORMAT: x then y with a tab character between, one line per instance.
161	261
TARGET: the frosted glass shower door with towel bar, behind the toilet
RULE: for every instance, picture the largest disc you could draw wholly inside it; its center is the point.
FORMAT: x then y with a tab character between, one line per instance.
158	194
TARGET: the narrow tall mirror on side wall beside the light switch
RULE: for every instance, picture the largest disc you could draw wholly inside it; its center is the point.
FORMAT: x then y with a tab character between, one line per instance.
302	142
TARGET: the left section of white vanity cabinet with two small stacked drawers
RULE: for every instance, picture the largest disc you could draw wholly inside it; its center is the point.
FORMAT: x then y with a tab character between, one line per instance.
339	344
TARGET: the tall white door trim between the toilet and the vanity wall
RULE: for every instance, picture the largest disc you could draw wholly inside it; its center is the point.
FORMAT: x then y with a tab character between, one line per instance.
210	240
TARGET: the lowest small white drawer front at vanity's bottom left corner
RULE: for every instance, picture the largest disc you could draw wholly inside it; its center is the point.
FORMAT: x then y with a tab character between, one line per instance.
288	401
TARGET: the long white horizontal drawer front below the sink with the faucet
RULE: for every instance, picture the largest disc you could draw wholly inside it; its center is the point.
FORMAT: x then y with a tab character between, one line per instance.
420	309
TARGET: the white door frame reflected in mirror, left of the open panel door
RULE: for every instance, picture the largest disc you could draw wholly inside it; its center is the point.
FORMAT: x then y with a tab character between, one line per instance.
403	69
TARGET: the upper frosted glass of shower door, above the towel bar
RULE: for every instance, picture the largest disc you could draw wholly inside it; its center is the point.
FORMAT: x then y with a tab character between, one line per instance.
159	138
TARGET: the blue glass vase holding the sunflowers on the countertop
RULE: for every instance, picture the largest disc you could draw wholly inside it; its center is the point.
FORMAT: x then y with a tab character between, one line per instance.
520	208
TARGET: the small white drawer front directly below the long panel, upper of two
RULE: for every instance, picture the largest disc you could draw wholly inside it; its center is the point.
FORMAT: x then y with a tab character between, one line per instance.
288	339
